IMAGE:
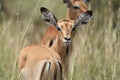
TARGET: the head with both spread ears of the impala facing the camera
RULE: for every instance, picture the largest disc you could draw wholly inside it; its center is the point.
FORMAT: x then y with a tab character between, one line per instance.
66	28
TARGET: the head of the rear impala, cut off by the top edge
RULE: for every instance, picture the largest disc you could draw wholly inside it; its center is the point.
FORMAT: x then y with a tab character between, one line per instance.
76	7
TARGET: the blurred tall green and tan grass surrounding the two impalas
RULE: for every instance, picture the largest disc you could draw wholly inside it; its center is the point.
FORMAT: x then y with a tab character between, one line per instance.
96	54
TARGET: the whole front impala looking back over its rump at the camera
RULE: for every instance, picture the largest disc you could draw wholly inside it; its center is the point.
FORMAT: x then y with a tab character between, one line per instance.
36	62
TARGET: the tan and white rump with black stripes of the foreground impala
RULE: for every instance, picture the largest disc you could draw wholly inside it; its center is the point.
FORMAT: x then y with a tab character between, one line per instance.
41	63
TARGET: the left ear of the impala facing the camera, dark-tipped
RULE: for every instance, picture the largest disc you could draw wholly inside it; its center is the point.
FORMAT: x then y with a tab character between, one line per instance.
48	17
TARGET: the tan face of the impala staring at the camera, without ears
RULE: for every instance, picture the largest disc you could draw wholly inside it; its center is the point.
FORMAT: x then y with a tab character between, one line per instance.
66	30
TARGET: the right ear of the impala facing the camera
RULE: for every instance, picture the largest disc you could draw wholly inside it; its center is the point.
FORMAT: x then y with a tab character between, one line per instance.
83	19
